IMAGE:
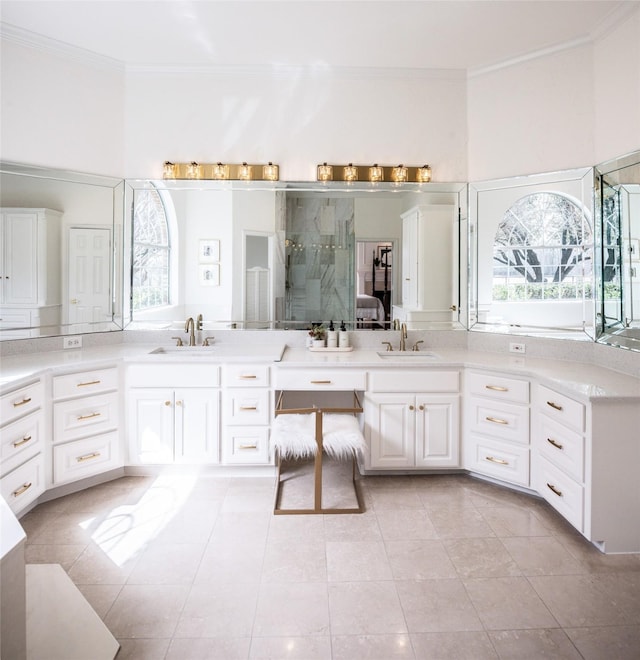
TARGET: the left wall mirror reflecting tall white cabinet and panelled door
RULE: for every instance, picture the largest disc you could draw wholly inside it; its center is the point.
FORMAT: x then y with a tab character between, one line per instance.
61	252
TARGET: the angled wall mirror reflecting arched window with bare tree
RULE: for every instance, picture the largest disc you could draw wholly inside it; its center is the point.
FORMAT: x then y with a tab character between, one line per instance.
532	256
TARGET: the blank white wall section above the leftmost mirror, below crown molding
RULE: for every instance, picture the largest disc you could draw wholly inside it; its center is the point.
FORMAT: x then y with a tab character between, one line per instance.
58	112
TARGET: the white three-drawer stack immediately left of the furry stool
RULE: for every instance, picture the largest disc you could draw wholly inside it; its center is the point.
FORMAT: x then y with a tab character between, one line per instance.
246	414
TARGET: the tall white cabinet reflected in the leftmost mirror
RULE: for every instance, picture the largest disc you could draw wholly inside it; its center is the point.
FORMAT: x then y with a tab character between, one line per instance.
30	294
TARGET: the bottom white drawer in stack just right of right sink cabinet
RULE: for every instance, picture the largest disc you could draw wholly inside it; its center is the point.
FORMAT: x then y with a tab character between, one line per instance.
501	460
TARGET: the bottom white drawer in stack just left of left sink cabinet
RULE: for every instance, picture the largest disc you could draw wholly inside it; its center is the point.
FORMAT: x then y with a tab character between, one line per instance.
82	458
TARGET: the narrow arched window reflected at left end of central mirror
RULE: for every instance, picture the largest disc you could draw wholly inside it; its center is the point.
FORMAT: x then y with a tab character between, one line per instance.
151	251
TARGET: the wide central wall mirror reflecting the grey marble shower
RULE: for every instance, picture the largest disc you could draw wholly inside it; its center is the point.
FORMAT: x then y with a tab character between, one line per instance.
286	255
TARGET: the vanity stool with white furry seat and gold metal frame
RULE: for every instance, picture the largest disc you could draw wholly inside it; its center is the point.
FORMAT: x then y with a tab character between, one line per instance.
304	433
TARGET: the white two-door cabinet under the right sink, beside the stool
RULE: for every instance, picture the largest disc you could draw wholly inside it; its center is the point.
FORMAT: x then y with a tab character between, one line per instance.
412	420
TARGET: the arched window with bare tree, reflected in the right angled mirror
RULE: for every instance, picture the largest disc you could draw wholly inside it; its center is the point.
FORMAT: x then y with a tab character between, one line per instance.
543	251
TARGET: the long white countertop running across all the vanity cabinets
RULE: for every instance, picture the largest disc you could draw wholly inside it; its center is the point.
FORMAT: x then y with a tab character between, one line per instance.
583	380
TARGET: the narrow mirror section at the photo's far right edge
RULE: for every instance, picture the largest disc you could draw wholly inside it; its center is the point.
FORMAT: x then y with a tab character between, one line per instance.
618	251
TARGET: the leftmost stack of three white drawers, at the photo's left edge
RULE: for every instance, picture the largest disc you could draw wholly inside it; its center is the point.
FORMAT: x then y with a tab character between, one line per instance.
21	445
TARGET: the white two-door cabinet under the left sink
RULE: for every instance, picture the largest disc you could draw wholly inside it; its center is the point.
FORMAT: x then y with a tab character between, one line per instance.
170	419
